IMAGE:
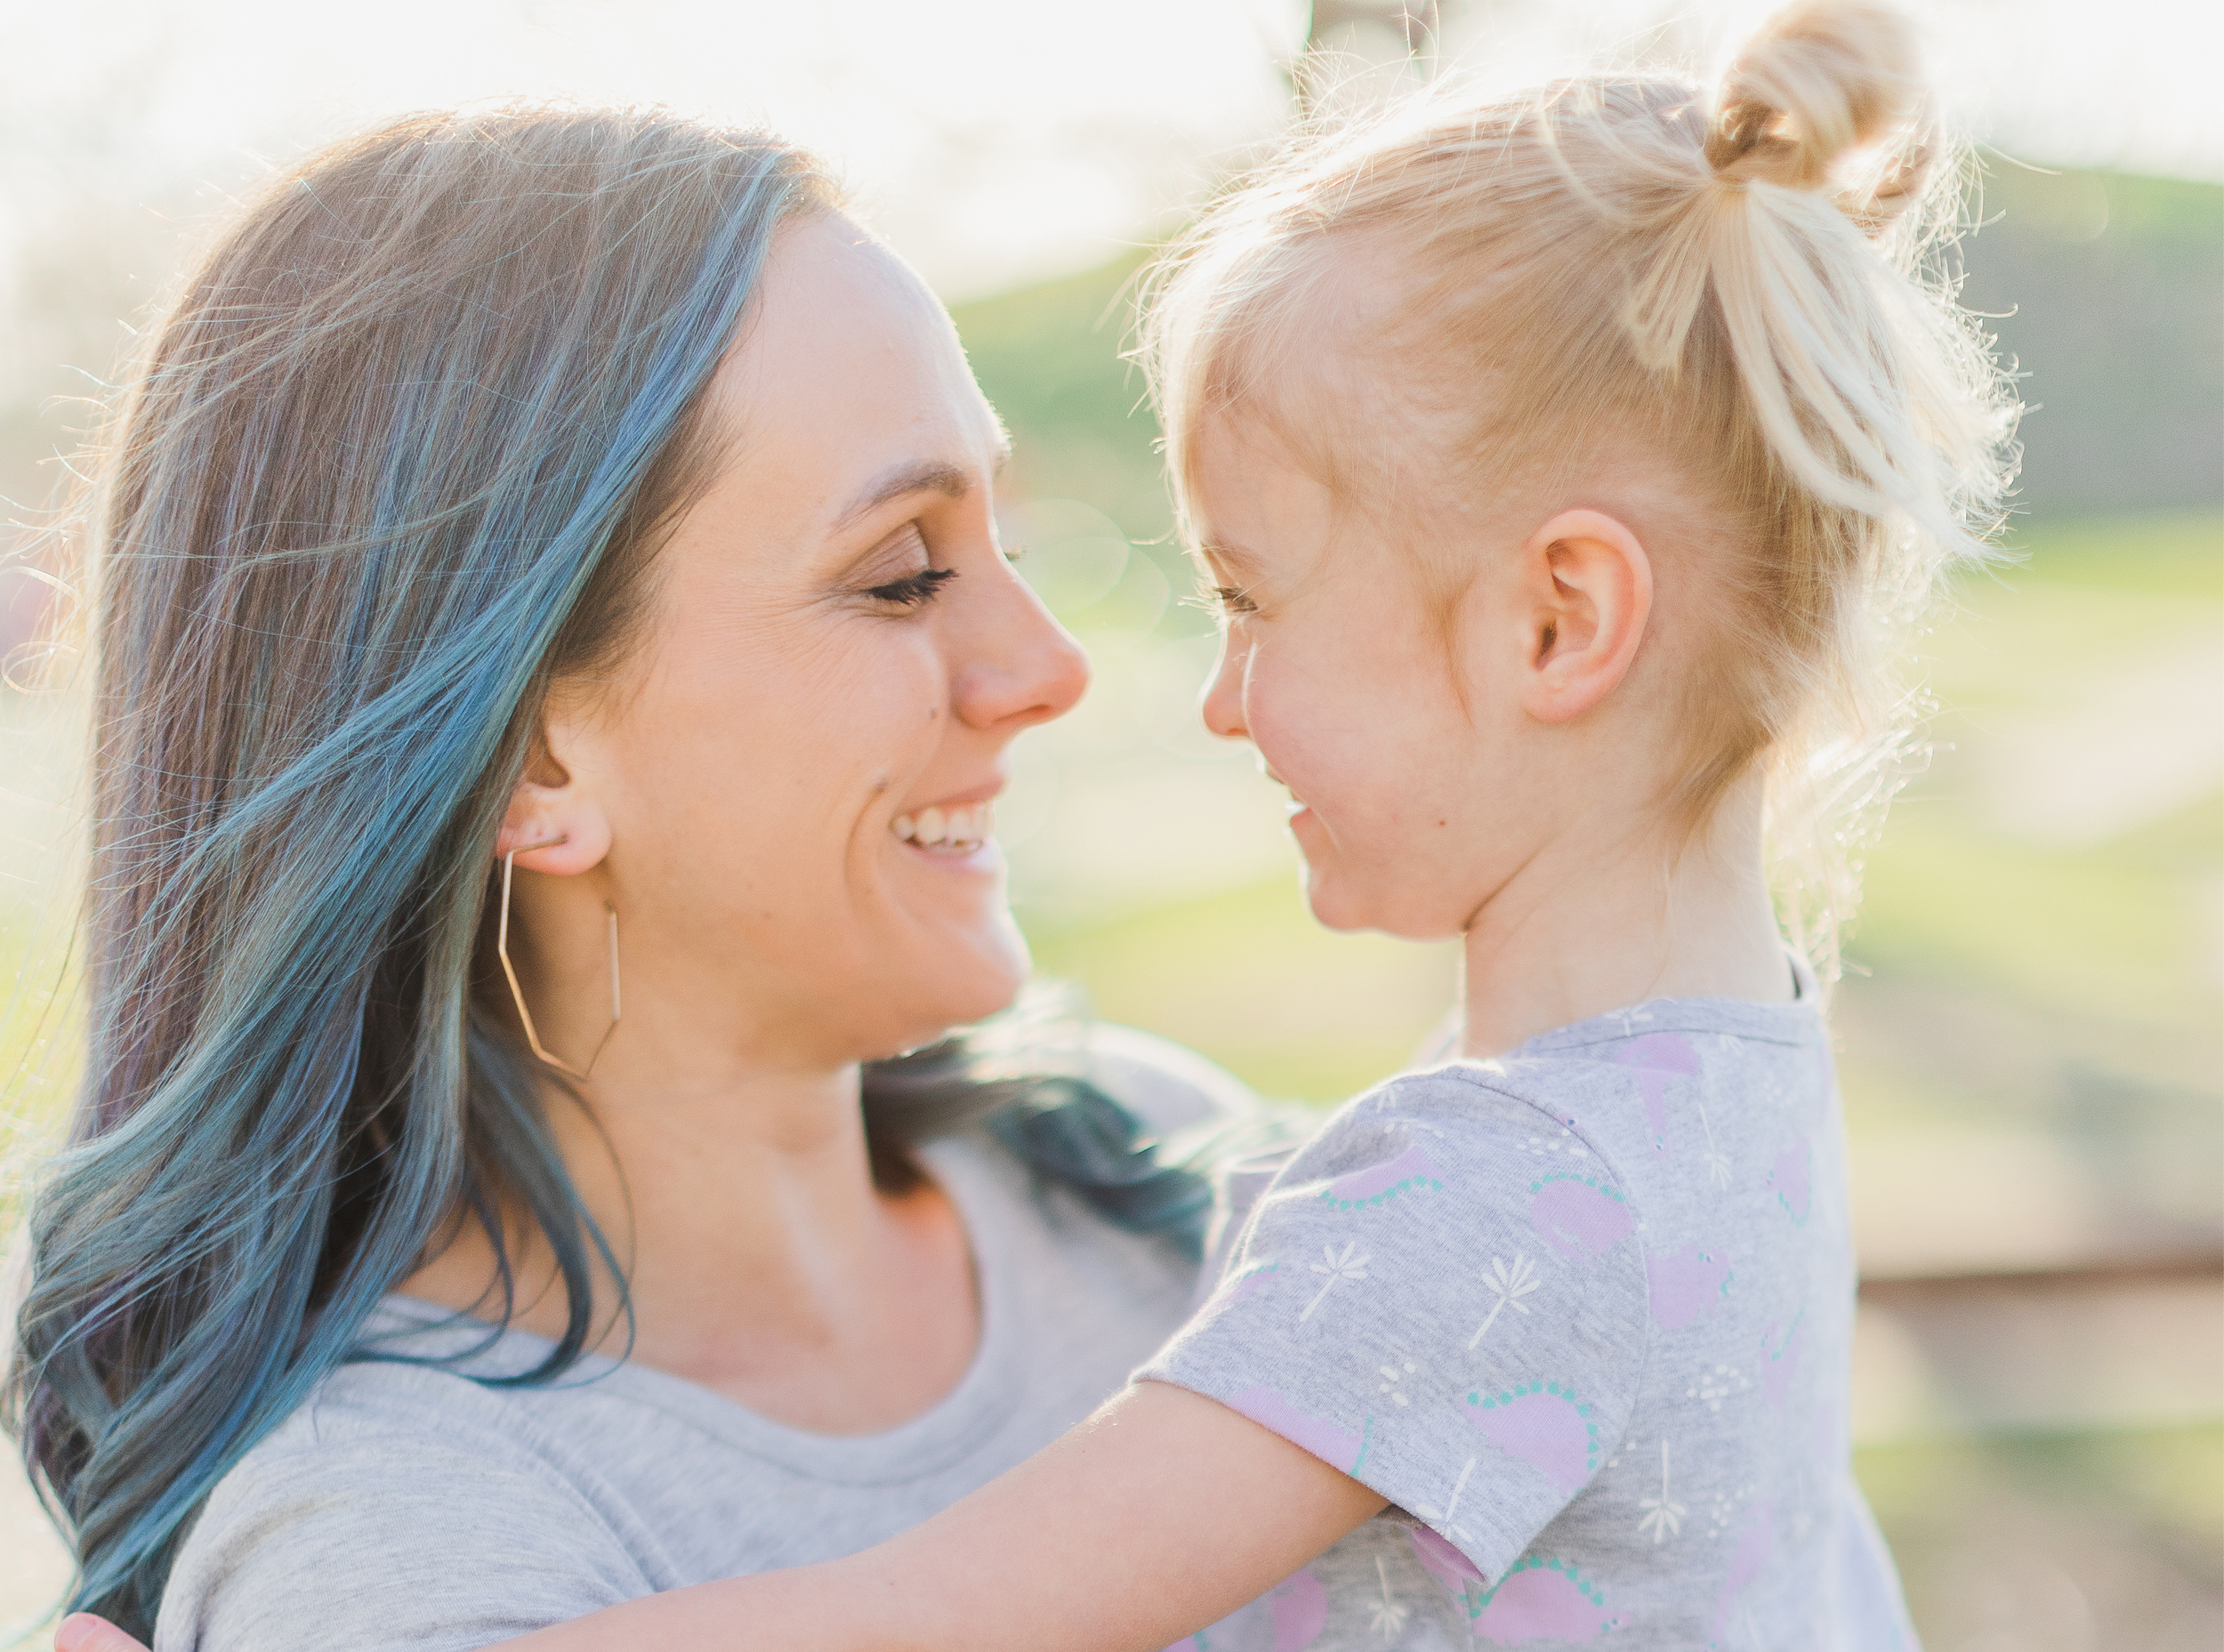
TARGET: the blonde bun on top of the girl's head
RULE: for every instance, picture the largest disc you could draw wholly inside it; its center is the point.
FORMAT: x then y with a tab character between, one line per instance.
1816	83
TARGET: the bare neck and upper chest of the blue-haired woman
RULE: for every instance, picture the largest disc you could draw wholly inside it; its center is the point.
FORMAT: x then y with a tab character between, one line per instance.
762	1257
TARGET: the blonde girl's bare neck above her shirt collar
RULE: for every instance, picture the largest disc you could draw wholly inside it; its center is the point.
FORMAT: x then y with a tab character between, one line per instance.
1600	924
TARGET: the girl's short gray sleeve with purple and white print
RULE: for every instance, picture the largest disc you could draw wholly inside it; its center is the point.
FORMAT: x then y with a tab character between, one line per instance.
1442	1297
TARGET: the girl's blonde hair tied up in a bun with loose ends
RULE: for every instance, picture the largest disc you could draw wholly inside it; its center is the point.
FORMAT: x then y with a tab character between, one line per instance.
1740	286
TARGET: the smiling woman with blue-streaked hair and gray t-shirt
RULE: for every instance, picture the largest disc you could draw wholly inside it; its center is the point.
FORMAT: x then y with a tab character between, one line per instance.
555	670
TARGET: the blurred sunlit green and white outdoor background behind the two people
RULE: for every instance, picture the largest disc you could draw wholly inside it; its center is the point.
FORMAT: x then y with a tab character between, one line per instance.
2034	1017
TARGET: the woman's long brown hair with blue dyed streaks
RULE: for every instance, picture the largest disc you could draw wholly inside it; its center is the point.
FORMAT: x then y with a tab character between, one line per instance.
399	457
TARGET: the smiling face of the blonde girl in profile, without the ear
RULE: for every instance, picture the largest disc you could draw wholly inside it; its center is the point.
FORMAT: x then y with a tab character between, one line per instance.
1396	719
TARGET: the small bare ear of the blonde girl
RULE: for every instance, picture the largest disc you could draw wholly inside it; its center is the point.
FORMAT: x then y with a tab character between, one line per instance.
1587	588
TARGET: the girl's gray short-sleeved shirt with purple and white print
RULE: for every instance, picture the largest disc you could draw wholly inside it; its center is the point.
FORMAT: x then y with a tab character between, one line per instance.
1582	1315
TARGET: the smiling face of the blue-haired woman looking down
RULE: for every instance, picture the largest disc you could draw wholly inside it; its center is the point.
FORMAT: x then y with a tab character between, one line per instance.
786	795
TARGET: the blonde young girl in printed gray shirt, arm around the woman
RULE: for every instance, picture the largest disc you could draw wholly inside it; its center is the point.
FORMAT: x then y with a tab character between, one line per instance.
1562	466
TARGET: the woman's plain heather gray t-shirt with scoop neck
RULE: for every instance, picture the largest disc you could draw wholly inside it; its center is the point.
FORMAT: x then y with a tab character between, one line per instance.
417	1511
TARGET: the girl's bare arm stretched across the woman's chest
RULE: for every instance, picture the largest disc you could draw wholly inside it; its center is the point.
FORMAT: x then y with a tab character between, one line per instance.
1160	1515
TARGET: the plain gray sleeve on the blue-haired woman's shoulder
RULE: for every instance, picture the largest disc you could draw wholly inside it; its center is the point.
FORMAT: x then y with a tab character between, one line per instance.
390	1542
